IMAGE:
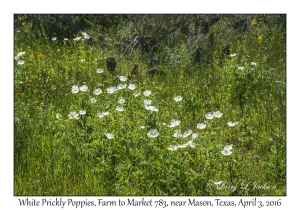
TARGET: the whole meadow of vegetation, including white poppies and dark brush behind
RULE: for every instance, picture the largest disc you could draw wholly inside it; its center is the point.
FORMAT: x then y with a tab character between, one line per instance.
203	119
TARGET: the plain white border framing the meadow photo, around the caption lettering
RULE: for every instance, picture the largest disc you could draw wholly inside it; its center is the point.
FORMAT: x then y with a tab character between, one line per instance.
7	201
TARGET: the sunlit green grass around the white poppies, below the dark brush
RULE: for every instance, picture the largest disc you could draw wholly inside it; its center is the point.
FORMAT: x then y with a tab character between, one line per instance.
74	157
